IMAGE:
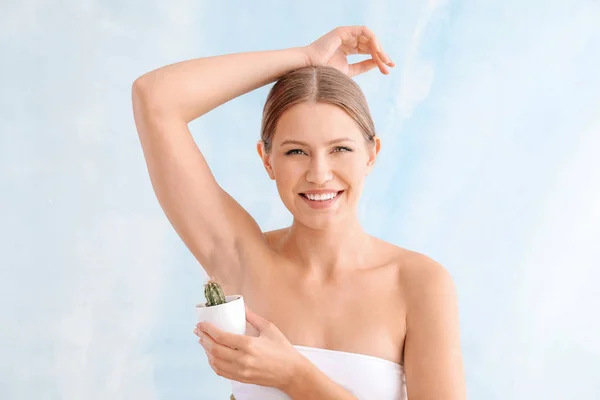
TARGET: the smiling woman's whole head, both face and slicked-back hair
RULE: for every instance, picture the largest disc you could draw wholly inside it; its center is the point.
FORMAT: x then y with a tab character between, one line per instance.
322	151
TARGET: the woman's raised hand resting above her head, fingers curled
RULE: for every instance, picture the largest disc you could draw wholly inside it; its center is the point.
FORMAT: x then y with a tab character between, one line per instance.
332	49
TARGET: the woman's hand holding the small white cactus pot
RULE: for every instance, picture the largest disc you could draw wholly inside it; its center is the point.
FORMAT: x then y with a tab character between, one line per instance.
267	360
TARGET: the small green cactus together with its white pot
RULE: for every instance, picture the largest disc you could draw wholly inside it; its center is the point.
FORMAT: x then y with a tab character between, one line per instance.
227	313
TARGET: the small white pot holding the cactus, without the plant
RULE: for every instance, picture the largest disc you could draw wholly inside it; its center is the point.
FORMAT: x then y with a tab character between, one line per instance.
229	316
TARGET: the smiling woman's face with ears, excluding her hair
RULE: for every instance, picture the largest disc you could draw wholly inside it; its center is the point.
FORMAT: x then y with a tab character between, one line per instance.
319	160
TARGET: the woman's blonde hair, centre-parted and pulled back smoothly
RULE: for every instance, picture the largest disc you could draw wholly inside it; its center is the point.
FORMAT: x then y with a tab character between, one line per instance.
318	84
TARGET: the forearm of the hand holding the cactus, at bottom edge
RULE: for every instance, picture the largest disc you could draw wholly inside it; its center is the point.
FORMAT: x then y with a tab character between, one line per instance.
311	383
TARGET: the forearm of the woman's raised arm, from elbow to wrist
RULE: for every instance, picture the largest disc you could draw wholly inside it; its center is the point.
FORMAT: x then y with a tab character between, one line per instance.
194	87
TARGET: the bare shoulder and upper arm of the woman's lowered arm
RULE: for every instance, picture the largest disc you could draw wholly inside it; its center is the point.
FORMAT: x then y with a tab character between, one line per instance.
432	350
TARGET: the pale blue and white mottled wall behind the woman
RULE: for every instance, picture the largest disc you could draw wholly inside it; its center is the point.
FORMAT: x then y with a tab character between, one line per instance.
490	127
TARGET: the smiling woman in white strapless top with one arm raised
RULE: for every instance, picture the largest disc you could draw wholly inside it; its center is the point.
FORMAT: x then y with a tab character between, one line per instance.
343	315
